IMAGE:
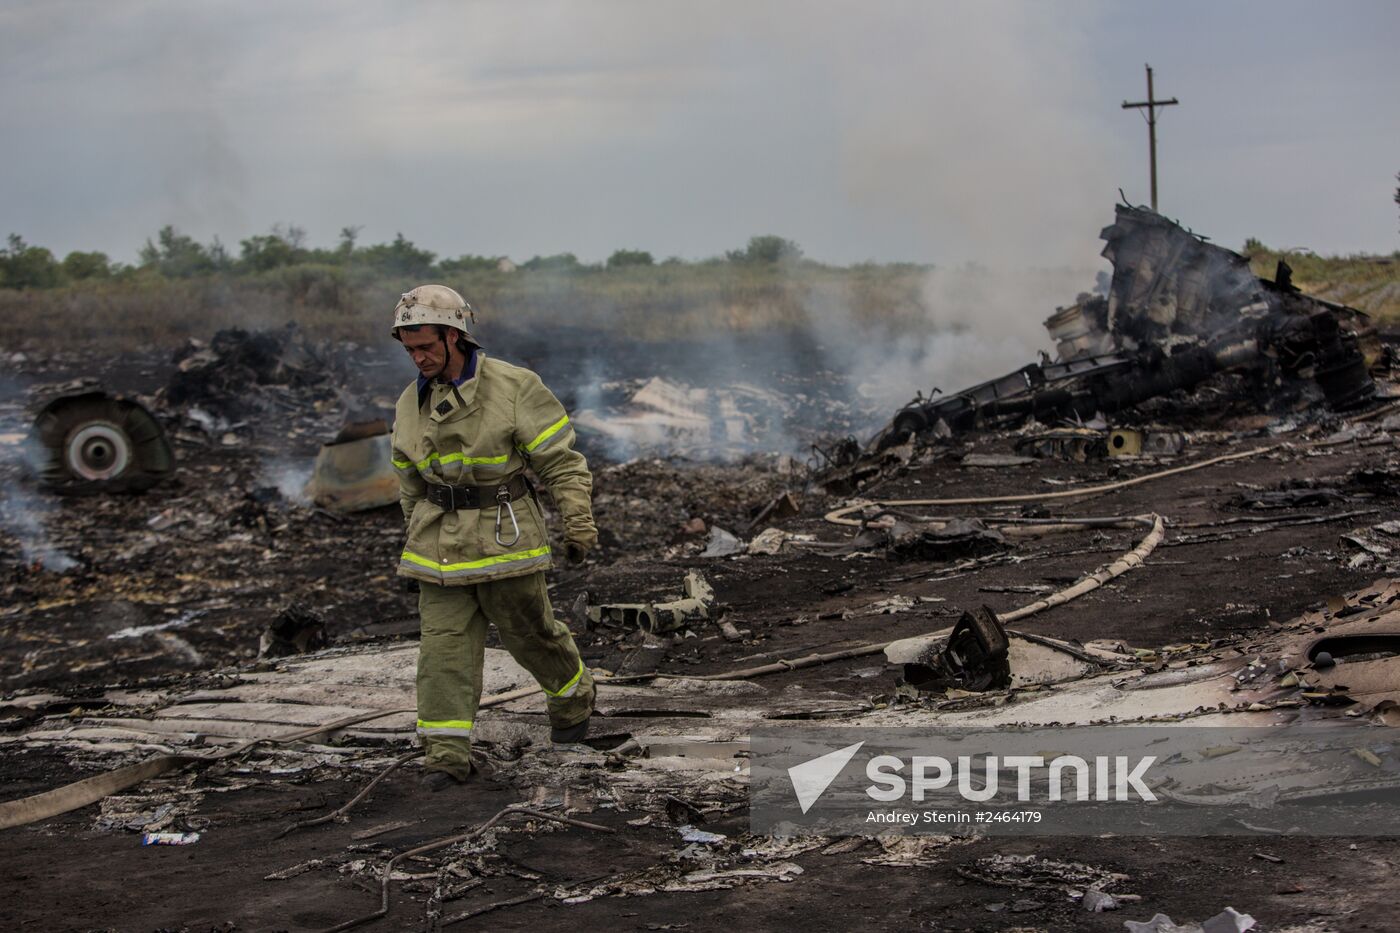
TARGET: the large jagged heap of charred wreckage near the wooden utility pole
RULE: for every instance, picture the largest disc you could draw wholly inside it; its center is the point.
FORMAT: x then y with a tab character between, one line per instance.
1179	312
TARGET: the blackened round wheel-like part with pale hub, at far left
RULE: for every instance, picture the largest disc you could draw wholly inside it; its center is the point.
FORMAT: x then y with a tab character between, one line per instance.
93	443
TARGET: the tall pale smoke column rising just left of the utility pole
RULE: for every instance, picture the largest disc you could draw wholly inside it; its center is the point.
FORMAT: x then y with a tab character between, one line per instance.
972	142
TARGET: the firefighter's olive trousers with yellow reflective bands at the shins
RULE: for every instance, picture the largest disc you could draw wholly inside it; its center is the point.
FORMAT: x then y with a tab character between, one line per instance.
453	652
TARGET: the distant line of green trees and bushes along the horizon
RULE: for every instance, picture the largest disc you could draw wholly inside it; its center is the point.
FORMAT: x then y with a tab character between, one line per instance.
174	256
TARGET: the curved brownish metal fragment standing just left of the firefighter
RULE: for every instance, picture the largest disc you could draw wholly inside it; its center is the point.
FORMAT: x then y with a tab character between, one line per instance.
355	471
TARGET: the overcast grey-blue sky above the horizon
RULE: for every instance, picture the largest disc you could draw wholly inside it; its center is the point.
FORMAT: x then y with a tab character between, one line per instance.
934	132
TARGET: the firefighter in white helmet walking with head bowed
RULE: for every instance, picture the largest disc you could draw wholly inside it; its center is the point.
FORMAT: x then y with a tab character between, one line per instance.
464	434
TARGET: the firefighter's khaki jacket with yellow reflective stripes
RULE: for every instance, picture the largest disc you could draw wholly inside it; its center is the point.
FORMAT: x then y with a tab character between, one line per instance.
484	434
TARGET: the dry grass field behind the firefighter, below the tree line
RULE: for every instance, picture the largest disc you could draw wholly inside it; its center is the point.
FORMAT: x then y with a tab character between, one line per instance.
647	303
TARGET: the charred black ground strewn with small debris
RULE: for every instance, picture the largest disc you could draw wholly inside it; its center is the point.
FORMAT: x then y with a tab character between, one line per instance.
202	583
